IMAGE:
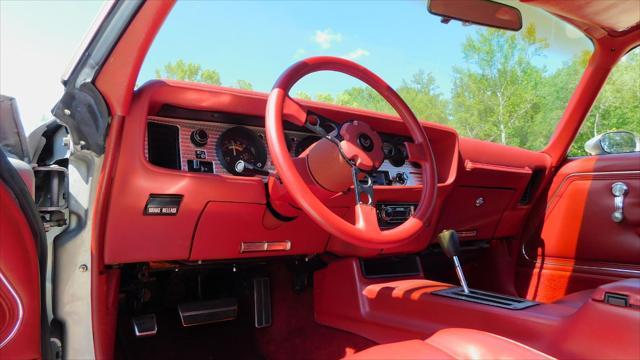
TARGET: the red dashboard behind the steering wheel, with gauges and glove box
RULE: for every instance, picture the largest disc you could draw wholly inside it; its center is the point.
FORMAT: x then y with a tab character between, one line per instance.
220	212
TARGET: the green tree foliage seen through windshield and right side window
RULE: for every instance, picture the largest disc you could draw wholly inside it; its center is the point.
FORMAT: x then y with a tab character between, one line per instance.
502	94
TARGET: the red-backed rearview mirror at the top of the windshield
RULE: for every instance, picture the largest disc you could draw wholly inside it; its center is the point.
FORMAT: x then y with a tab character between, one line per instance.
479	12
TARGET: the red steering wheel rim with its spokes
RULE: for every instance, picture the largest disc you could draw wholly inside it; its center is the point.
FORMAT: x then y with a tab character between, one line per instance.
365	232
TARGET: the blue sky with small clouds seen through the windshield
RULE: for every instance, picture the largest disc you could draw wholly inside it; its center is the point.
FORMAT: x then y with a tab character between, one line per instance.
256	41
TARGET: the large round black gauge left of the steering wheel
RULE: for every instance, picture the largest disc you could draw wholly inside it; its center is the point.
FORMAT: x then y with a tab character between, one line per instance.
239	143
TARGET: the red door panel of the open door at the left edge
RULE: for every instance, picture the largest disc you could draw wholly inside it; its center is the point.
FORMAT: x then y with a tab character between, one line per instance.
19	283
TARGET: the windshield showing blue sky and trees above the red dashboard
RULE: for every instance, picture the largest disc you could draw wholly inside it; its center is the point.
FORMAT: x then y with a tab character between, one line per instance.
501	86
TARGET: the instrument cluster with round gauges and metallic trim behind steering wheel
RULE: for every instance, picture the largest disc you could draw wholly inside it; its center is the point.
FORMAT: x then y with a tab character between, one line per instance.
241	150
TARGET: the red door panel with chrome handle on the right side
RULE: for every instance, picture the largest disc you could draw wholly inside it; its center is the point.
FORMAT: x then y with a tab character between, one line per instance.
581	246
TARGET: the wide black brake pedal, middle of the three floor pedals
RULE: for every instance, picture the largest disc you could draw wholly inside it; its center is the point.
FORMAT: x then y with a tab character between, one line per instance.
206	312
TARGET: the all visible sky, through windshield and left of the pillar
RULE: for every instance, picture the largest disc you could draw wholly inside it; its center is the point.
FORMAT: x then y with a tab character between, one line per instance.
248	40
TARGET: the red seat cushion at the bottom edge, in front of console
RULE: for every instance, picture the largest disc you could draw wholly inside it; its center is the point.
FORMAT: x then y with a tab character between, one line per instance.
453	344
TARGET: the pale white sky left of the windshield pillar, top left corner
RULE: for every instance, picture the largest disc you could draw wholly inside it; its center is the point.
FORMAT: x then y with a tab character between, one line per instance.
37	41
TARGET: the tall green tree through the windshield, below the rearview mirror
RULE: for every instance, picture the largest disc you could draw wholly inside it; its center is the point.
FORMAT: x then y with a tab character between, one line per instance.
495	96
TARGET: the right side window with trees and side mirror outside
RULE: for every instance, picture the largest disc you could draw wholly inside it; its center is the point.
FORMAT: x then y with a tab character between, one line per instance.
613	125
